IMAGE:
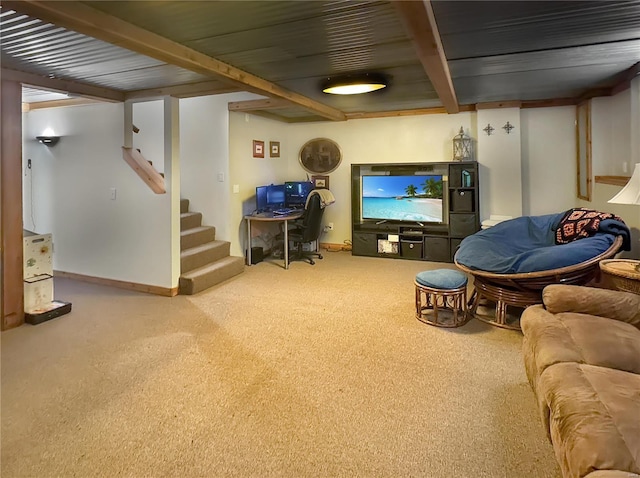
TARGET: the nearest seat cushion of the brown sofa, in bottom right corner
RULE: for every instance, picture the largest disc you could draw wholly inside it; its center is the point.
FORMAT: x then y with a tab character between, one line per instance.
594	418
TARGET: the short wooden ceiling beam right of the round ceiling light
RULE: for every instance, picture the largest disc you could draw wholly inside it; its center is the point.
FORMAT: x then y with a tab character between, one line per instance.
420	24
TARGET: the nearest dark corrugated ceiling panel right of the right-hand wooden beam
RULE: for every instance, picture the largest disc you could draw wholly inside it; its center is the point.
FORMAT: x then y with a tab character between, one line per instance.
473	28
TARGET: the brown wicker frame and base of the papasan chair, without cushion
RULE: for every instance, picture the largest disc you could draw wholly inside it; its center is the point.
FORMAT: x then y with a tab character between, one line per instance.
525	289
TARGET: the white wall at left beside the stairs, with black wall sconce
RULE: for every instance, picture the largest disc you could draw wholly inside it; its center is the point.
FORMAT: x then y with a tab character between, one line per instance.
122	239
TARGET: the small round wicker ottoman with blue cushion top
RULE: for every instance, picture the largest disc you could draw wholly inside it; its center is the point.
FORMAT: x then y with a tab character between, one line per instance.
441	290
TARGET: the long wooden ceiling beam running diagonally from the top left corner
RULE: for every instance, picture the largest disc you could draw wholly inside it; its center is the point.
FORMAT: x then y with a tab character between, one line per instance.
89	21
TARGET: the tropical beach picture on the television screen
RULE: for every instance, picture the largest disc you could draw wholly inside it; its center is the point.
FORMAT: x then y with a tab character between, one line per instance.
402	198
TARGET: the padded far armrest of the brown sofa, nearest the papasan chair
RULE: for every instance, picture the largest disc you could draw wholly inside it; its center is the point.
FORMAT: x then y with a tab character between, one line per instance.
611	304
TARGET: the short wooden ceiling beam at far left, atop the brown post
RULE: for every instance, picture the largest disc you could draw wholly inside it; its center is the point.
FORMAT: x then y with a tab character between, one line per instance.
65	86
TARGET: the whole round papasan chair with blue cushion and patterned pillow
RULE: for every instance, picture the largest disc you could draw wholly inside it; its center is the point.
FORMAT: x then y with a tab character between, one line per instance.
514	260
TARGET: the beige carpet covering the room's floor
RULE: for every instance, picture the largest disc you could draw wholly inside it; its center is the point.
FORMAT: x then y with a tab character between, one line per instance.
318	371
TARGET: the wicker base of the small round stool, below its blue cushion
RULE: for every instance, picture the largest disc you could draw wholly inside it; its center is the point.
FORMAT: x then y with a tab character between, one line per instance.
441	307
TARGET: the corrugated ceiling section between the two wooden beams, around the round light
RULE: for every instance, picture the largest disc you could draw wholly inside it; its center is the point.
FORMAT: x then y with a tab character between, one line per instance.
283	40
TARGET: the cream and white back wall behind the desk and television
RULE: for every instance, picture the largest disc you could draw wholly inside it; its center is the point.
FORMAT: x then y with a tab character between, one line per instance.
529	171
